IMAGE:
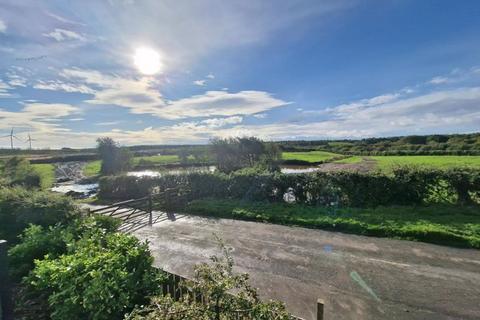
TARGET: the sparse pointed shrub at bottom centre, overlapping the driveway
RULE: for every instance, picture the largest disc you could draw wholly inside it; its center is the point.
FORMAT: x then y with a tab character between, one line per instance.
225	295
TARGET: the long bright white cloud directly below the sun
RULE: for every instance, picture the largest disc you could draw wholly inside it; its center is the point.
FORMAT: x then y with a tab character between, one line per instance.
140	96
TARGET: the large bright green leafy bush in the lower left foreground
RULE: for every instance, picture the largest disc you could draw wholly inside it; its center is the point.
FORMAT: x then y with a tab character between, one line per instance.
103	276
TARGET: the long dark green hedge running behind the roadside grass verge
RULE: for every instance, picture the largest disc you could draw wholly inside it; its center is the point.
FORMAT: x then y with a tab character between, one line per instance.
405	186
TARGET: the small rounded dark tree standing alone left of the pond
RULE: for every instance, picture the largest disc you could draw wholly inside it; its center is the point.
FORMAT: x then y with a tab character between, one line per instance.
114	159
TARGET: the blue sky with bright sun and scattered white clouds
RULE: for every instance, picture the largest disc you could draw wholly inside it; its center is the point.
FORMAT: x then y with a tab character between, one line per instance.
184	72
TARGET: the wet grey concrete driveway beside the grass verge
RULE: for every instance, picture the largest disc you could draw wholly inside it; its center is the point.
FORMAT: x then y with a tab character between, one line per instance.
358	277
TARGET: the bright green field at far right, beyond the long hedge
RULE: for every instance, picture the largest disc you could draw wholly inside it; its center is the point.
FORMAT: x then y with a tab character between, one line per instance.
386	163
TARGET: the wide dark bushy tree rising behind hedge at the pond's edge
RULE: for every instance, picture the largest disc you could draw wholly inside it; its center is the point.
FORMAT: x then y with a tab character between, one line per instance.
237	153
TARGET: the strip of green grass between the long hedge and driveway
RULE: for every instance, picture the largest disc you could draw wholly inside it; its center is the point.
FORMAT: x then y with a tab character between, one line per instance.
446	225
